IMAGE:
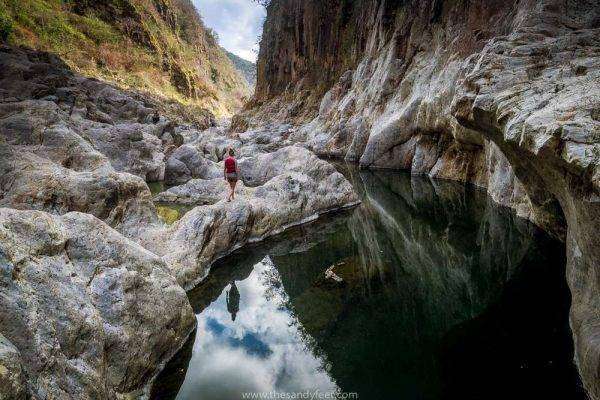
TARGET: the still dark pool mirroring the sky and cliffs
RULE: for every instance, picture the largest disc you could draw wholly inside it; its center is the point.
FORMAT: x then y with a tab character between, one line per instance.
425	291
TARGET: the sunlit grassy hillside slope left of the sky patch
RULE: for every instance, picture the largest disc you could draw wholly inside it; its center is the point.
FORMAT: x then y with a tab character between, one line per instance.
160	46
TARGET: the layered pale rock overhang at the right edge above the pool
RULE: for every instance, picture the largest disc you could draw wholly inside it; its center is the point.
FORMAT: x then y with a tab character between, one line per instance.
551	143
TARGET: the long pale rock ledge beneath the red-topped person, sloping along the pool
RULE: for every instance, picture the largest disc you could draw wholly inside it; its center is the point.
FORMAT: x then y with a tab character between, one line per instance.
206	233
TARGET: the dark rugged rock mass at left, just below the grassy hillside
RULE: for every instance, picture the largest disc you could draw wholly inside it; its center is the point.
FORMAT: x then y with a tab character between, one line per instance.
40	93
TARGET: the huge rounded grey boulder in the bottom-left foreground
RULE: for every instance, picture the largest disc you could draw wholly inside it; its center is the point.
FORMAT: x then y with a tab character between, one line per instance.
92	314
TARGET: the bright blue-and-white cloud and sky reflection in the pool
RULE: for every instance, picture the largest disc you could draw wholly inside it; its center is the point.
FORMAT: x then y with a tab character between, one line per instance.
263	350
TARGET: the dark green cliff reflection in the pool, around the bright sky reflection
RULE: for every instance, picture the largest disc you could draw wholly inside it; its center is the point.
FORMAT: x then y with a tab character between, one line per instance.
442	294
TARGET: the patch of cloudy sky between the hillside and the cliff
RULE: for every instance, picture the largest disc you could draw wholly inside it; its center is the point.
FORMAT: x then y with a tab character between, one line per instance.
237	22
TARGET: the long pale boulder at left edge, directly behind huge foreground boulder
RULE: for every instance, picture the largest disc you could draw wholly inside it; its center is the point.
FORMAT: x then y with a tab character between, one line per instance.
31	182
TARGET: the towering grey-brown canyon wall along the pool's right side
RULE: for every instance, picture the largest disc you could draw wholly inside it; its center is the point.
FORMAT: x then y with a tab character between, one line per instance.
501	94
